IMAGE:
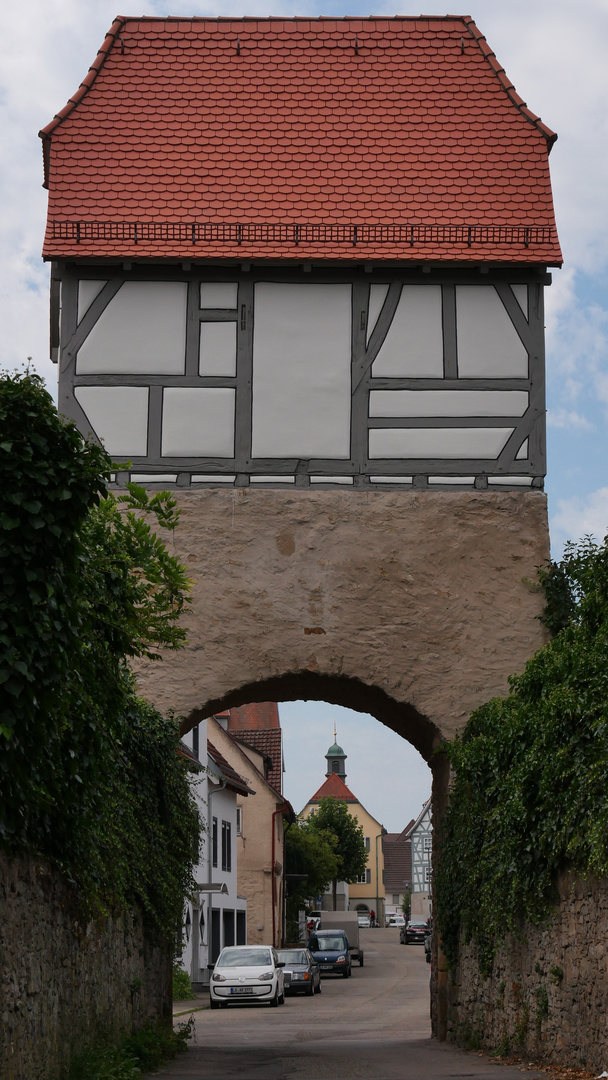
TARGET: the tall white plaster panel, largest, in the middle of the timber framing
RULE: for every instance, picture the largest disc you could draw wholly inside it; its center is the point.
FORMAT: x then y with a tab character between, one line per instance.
302	371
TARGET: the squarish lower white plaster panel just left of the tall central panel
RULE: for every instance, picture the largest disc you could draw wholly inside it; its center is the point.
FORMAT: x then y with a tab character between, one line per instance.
198	423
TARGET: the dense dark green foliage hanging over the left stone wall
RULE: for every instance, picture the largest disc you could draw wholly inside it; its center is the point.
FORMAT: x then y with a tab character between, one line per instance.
90	777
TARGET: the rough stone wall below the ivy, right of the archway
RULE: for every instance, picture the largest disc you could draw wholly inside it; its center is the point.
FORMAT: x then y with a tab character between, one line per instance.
548	994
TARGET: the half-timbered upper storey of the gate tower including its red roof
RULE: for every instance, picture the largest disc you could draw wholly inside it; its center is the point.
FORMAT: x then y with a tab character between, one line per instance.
303	252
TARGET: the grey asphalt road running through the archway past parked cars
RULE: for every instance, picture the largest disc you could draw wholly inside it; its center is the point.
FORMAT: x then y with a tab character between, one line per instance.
374	1025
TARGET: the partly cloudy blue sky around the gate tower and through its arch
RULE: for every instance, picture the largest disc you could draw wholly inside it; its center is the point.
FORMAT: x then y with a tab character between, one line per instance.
557	55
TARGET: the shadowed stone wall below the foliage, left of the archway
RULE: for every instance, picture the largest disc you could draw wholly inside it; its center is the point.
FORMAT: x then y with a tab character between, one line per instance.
65	985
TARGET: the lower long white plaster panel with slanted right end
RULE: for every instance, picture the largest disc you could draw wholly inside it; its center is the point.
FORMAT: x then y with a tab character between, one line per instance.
438	442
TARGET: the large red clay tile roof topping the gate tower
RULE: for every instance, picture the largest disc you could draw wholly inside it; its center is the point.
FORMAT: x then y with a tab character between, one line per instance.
296	139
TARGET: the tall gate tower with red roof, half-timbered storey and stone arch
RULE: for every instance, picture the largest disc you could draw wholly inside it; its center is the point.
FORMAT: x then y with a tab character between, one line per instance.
298	275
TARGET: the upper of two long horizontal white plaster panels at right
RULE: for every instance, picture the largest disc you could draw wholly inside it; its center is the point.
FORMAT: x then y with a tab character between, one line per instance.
449	402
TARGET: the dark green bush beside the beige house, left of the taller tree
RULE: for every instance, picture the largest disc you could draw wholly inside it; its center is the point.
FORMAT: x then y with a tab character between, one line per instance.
312	852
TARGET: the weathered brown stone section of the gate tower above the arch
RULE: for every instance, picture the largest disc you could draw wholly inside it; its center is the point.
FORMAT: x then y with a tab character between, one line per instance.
412	606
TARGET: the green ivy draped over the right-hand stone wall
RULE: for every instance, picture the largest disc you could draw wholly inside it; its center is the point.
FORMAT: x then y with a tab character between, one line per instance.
530	794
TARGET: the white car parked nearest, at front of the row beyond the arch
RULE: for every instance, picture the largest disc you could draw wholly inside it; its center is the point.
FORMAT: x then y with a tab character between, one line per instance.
248	974
